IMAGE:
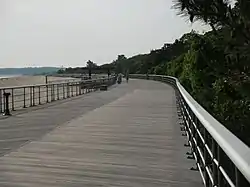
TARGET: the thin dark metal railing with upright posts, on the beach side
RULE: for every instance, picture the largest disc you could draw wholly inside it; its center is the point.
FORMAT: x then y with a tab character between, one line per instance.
32	95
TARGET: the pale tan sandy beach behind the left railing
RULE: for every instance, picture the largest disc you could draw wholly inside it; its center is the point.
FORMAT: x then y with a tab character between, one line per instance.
31	97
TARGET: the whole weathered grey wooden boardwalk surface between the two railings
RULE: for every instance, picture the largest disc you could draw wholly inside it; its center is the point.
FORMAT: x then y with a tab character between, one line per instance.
128	136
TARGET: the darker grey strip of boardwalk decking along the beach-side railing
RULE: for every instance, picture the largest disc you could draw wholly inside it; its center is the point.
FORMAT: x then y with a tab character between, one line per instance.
32	123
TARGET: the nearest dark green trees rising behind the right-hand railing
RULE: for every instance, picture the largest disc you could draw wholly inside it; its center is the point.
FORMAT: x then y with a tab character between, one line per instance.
216	68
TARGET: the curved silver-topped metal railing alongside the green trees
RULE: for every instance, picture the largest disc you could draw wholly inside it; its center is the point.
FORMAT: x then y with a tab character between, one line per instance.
221	158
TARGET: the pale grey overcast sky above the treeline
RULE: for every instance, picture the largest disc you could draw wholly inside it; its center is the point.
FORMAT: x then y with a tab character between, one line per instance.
70	32
